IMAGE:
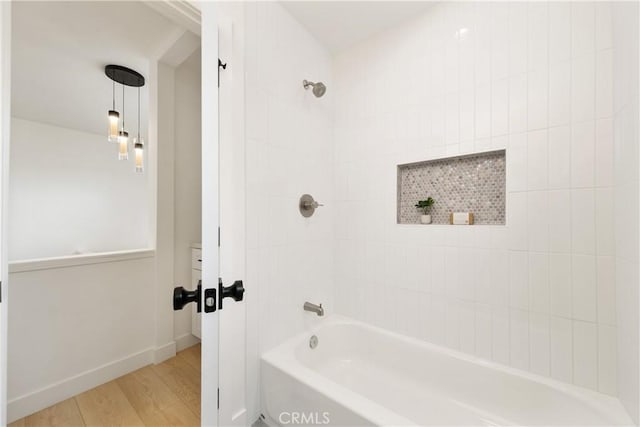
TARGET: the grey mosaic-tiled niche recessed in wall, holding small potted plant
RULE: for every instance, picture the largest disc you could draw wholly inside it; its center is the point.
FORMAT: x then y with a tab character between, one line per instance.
473	183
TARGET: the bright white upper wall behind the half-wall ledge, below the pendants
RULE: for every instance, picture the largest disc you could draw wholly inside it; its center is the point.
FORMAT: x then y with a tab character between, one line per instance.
70	194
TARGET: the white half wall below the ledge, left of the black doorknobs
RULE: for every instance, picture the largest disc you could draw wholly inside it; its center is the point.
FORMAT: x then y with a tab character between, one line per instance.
73	328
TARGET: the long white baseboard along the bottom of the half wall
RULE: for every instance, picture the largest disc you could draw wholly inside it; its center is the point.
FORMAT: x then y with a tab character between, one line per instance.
27	404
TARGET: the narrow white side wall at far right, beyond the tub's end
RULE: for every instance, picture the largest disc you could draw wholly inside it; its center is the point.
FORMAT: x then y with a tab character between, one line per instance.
625	101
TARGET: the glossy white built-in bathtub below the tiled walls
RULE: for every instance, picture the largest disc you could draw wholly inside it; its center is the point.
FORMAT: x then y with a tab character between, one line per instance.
362	375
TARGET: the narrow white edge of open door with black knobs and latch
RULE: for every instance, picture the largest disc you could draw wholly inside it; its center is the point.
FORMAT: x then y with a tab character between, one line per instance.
210	211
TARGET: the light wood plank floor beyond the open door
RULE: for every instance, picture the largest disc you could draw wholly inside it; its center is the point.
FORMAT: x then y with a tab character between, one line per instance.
167	394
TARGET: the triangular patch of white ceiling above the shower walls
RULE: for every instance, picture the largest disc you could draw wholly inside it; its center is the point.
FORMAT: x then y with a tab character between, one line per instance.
341	24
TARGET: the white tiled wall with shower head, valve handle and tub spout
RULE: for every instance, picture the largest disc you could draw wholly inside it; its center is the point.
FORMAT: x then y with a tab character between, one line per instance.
289	152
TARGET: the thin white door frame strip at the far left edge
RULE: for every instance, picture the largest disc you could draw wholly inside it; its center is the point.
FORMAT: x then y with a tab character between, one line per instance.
5	118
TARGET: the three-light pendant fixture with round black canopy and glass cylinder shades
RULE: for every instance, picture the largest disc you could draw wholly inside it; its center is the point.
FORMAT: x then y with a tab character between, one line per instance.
126	77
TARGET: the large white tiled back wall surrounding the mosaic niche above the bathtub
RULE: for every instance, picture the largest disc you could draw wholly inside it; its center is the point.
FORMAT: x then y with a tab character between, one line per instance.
536	79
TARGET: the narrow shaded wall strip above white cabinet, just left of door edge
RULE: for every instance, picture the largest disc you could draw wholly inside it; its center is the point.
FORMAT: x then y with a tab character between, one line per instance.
187	177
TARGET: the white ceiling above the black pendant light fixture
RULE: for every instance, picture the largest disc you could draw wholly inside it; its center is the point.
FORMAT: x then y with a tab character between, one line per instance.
59	50
